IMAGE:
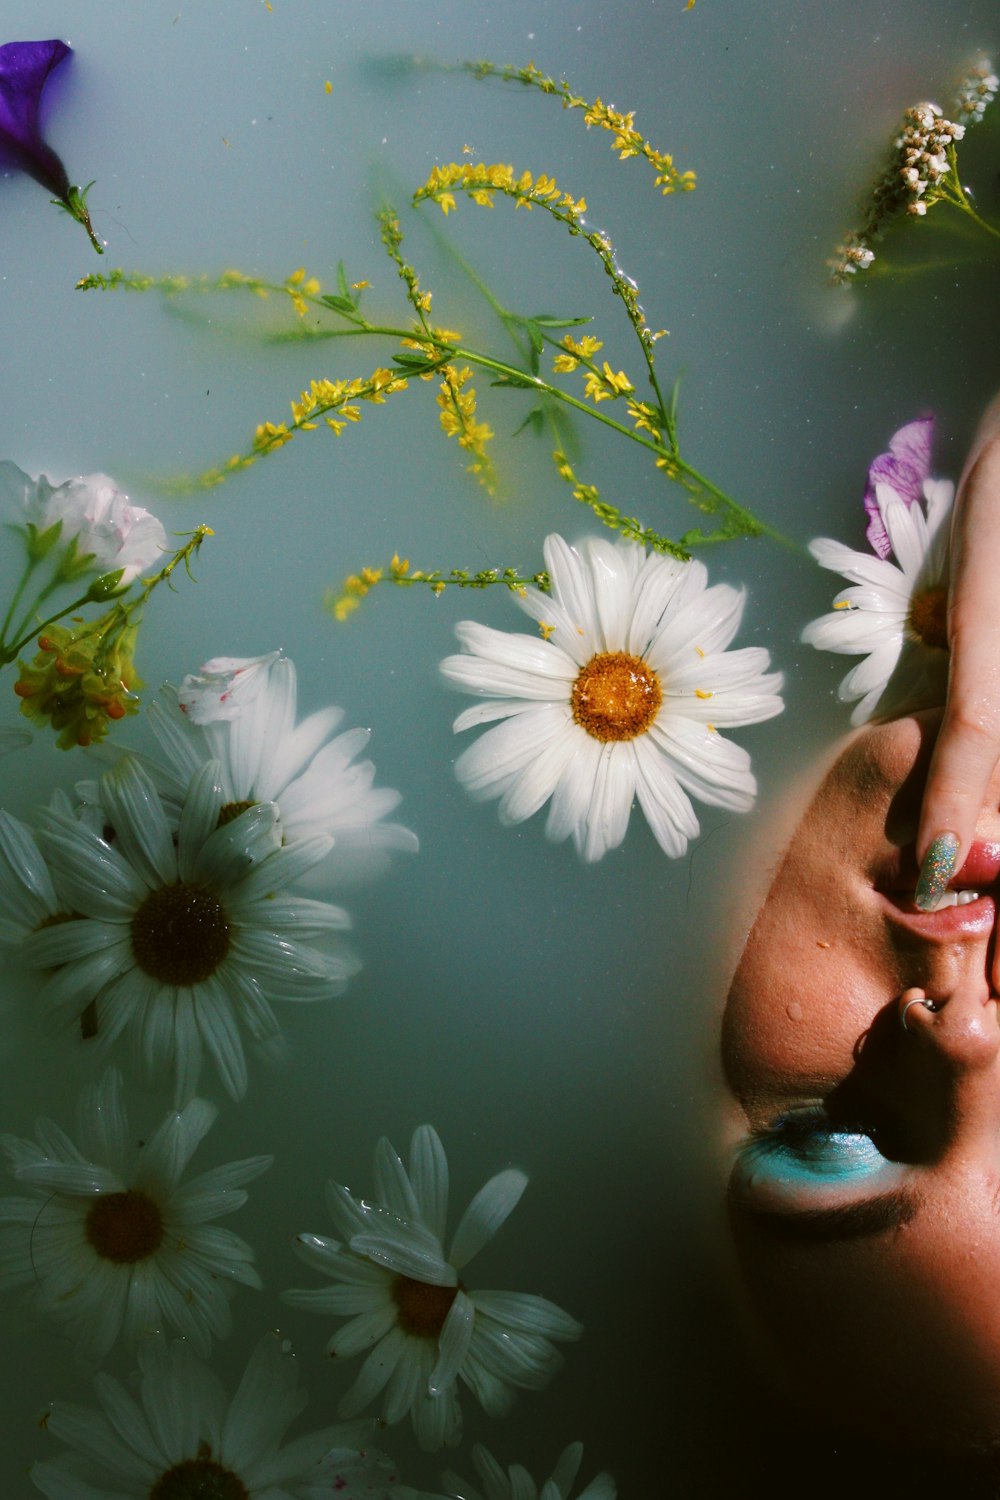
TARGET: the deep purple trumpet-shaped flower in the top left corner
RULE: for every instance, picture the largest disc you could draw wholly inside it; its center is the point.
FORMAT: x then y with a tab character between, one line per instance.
25	68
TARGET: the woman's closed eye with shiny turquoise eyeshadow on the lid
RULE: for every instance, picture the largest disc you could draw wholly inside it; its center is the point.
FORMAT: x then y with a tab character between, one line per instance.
809	1145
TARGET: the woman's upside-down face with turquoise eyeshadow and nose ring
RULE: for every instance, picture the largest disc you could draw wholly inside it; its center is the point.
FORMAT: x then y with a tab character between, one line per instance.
866	1181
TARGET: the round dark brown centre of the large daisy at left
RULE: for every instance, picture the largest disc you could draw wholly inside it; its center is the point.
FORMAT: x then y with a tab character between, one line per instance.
181	934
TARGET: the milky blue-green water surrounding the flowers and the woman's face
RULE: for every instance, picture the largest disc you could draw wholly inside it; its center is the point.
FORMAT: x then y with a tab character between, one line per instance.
534	1010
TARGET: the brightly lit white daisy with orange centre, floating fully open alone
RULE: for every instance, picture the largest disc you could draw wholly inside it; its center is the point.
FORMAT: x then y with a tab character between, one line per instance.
623	698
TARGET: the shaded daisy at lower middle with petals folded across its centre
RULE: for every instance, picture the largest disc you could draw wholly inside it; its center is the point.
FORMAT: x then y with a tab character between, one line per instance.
425	1331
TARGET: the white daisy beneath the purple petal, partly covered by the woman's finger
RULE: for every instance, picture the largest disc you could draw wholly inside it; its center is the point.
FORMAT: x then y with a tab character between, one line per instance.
896	614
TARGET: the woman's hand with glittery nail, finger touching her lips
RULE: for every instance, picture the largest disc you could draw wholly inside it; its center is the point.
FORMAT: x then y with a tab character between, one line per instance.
968	746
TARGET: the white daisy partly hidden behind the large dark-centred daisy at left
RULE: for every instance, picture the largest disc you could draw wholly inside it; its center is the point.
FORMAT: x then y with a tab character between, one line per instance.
266	757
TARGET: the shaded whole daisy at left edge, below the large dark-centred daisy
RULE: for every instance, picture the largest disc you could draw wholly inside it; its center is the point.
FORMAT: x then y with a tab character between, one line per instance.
113	1243
